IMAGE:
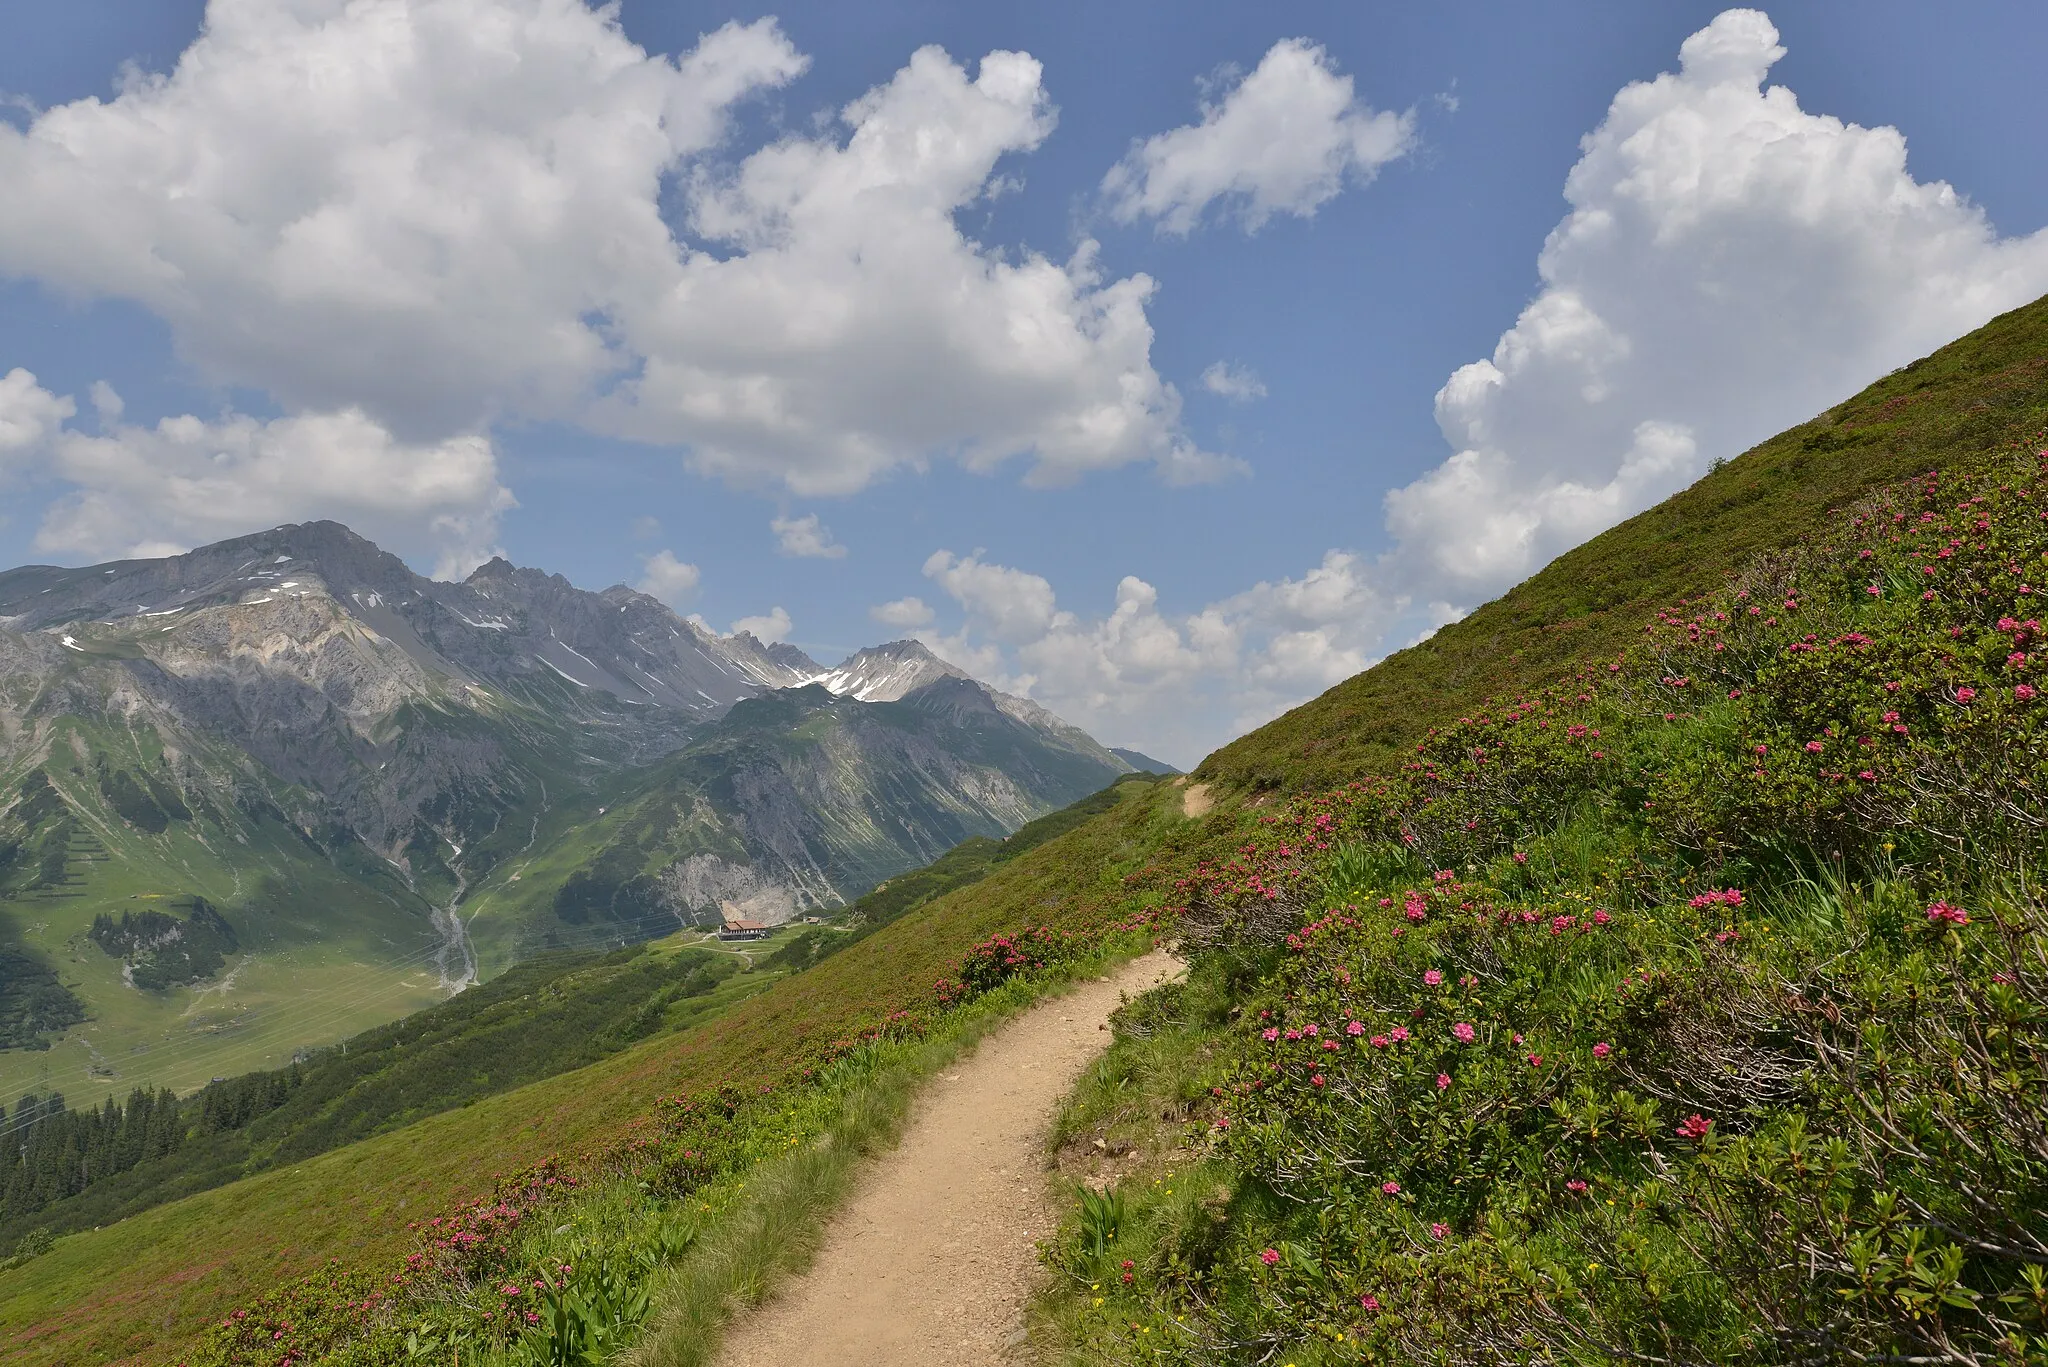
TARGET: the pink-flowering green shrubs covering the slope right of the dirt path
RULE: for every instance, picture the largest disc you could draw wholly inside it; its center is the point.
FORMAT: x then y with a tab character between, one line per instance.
1695	1009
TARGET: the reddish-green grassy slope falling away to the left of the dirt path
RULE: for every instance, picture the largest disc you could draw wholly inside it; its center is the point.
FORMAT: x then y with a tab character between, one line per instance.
153	1282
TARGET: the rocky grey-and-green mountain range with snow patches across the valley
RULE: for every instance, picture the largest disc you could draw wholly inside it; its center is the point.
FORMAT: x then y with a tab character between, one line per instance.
323	790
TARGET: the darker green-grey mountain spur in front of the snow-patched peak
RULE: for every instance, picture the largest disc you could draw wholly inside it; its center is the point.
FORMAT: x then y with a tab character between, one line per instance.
792	802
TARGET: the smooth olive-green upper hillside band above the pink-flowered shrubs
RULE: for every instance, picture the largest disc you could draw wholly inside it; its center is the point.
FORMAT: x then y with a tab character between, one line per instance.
1947	411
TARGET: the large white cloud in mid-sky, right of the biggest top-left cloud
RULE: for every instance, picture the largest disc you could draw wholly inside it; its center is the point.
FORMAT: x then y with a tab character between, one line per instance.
851	327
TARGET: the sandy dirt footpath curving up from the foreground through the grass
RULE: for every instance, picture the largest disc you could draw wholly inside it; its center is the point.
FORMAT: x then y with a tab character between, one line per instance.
935	1253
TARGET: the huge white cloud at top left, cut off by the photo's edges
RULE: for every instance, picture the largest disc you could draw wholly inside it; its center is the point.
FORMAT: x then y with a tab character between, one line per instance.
423	208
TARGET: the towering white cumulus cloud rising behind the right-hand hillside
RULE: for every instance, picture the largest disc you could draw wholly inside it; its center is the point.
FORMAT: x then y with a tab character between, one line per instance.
1732	265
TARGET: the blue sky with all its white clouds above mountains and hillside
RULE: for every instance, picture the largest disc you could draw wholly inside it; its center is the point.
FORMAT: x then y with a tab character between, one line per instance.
331	280
